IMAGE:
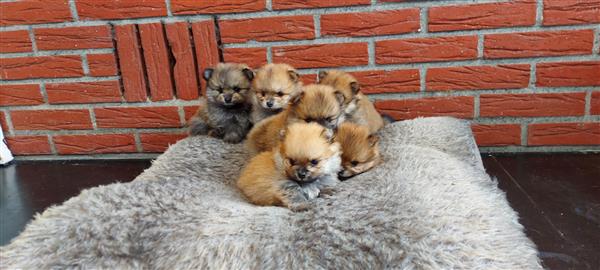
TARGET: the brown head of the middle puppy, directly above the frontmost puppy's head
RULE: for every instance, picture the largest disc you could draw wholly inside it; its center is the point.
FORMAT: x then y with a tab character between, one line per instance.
320	104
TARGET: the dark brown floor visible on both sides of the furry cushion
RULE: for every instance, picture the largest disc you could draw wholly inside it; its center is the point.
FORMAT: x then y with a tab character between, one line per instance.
557	197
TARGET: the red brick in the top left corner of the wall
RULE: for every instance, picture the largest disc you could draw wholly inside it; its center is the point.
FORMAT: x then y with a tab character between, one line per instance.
34	12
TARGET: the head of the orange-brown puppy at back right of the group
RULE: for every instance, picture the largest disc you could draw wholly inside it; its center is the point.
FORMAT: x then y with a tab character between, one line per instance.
344	83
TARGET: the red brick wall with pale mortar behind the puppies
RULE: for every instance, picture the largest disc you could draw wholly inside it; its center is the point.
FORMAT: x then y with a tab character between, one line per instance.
107	77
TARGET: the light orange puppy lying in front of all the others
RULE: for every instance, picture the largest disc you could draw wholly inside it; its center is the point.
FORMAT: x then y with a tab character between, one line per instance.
304	165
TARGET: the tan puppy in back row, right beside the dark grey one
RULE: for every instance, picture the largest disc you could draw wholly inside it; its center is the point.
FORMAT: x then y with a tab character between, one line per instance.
272	89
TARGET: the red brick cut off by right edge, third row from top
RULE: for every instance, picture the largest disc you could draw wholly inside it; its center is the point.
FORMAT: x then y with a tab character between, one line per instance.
568	74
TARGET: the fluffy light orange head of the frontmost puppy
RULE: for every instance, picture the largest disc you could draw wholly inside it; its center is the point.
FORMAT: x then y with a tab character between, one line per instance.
309	152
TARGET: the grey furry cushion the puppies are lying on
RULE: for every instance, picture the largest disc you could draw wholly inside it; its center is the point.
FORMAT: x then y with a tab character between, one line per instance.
429	206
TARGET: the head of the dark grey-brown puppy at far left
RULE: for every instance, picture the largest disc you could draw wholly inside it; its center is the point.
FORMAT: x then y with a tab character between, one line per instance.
228	84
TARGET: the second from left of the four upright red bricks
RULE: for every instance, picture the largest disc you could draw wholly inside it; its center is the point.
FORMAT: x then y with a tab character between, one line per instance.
156	58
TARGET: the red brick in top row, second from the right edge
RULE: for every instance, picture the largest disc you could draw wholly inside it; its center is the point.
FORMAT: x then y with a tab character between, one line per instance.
482	16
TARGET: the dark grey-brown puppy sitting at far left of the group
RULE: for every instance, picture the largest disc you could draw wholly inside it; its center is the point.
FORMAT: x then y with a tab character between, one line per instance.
225	113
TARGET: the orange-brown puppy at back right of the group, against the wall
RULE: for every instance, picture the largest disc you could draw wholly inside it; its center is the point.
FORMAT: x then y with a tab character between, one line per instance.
357	106
